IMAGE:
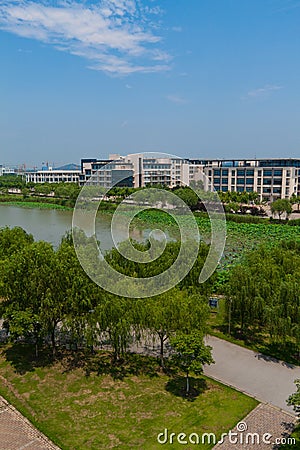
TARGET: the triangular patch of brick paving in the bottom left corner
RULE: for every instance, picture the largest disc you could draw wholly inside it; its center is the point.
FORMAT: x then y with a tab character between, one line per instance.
17	433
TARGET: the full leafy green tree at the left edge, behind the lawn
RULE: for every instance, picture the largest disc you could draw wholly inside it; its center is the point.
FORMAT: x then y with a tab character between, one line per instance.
27	283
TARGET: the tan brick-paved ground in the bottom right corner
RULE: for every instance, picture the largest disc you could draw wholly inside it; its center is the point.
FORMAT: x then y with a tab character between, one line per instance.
265	428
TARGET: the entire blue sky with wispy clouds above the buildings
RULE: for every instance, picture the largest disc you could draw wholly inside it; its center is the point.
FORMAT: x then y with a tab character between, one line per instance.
196	78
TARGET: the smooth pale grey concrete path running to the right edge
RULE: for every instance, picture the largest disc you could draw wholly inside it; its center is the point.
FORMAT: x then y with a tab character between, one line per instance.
265	378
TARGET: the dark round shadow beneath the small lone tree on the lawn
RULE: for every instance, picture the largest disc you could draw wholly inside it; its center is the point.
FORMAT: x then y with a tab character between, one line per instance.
177	386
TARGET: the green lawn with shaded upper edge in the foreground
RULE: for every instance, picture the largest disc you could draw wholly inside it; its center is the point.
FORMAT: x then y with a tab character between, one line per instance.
82	409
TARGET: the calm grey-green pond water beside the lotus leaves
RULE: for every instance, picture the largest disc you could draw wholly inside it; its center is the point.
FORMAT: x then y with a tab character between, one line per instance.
50	225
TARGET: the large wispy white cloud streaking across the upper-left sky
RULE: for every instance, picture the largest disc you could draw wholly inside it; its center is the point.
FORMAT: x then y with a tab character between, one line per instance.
116	36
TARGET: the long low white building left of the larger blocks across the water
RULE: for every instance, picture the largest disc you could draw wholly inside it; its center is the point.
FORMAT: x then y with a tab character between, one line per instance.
68	174
